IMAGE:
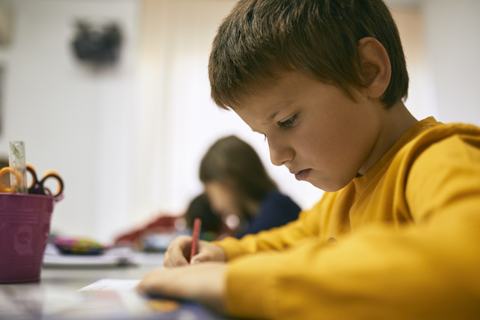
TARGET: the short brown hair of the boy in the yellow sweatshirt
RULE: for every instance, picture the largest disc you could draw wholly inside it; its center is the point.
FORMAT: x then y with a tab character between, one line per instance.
316	37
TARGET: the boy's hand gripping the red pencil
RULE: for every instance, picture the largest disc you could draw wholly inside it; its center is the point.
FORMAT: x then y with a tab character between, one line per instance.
179	251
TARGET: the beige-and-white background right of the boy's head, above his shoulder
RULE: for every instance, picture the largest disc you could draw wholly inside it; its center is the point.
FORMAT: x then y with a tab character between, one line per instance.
442	44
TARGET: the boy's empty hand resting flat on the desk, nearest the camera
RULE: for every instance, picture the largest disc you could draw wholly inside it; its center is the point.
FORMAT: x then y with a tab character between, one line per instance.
202	282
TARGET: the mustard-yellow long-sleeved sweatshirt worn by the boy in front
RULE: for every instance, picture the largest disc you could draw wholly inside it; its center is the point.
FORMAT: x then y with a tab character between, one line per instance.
400	242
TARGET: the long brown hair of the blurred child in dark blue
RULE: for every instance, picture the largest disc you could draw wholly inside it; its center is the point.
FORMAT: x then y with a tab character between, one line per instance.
234	163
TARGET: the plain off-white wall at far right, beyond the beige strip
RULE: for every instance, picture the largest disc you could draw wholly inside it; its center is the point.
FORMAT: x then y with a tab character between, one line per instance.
452	30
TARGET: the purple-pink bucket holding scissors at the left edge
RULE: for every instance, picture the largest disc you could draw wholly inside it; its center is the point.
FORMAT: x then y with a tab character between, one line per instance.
24	231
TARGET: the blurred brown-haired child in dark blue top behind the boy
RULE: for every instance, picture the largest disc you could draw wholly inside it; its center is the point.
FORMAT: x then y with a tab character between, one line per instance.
237	183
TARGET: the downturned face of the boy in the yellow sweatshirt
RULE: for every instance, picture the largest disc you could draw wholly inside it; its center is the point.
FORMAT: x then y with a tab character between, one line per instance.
314	129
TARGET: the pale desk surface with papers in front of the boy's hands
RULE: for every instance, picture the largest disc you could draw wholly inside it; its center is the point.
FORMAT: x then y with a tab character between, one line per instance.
55	297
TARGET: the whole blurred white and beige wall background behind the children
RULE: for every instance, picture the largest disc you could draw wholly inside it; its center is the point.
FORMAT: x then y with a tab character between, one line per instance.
127	124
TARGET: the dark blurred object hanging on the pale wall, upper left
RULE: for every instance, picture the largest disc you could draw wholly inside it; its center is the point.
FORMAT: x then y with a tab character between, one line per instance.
98	46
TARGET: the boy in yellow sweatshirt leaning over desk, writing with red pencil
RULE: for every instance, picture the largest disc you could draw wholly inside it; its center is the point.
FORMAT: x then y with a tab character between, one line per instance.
396	234
